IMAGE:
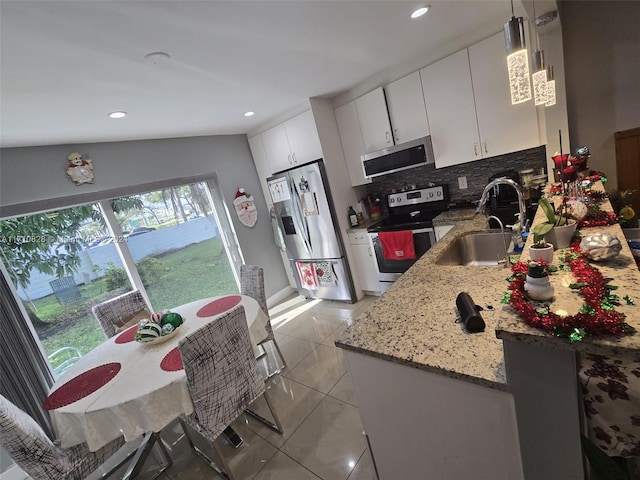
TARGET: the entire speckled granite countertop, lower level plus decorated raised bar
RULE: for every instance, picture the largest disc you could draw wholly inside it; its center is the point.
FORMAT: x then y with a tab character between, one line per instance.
415	322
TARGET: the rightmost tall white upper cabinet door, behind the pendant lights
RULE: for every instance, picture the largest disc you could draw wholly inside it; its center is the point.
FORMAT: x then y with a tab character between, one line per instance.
503	127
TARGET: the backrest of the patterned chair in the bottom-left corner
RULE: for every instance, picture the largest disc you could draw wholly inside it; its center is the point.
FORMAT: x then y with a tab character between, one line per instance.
27	444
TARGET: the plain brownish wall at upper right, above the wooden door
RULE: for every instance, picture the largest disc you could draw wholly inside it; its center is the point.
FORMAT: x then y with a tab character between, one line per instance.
601	53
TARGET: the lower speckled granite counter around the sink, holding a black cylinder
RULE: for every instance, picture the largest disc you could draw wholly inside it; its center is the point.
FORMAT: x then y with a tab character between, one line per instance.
415	321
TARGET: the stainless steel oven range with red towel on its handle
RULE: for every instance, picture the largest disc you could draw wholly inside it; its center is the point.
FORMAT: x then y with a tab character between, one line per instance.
413	211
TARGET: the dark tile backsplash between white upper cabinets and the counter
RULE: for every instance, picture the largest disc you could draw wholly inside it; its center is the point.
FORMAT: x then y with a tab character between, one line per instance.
477	174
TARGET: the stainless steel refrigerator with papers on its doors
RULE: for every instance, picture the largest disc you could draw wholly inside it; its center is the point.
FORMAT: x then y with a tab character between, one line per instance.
306	215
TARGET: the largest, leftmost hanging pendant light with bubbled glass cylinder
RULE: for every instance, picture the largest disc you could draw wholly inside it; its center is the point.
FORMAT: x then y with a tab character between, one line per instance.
517	59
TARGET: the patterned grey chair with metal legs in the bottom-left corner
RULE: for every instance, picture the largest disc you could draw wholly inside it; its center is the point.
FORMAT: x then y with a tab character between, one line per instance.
33	451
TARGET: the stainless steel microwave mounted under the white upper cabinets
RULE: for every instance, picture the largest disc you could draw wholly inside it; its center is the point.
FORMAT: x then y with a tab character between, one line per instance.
399	157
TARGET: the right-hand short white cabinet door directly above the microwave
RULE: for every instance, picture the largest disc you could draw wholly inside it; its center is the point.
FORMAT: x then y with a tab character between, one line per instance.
405	102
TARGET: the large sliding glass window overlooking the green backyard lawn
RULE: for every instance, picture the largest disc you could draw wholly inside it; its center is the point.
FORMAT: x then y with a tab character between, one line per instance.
174	244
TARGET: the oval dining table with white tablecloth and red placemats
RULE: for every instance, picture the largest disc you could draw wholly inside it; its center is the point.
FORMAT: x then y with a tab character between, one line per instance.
127	388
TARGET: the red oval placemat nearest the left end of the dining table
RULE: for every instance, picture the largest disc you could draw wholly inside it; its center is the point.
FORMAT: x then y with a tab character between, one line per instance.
81	386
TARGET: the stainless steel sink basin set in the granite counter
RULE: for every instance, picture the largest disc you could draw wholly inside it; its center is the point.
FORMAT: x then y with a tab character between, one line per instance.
477	249
